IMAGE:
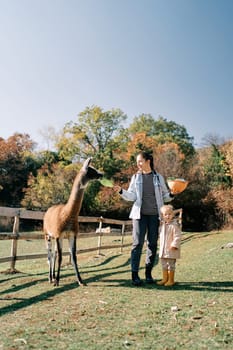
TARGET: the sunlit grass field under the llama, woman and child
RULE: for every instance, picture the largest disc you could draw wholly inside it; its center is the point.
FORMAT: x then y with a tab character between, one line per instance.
109	313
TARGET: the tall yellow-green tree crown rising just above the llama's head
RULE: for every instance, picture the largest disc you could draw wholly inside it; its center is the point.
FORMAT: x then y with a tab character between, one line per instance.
96	134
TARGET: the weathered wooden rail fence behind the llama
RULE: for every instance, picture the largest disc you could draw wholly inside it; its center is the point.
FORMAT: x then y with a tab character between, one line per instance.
15	235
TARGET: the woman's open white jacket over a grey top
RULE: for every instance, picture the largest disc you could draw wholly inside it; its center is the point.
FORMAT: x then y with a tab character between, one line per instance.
134	193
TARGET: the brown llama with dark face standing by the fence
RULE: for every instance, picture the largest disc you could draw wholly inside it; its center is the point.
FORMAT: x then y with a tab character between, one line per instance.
62	220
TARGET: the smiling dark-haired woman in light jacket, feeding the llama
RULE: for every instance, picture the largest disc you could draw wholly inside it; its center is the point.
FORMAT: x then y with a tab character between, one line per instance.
149	192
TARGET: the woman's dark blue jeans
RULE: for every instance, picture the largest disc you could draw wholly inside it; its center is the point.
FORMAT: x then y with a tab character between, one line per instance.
147	224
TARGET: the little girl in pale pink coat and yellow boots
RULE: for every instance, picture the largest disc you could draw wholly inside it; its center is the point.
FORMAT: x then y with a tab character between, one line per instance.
169	250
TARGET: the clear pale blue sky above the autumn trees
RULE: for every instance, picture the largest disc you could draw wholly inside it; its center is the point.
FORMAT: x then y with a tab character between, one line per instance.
172	58
